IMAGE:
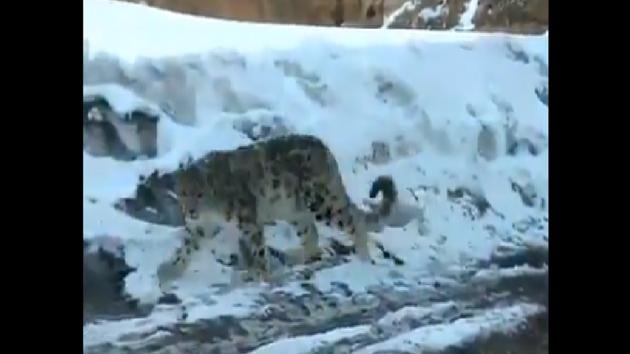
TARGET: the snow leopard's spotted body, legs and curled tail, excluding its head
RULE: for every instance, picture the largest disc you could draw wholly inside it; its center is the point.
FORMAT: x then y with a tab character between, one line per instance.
294	178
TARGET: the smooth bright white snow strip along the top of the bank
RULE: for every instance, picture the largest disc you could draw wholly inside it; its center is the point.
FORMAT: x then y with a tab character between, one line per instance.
189	34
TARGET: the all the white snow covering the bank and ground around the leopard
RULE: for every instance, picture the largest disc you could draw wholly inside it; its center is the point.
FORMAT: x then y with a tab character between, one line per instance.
461	112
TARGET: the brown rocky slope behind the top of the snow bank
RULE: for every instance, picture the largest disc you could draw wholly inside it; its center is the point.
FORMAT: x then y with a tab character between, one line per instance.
515	16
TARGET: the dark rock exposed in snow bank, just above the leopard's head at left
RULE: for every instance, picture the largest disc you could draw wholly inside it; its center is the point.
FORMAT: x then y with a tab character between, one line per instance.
125	136
